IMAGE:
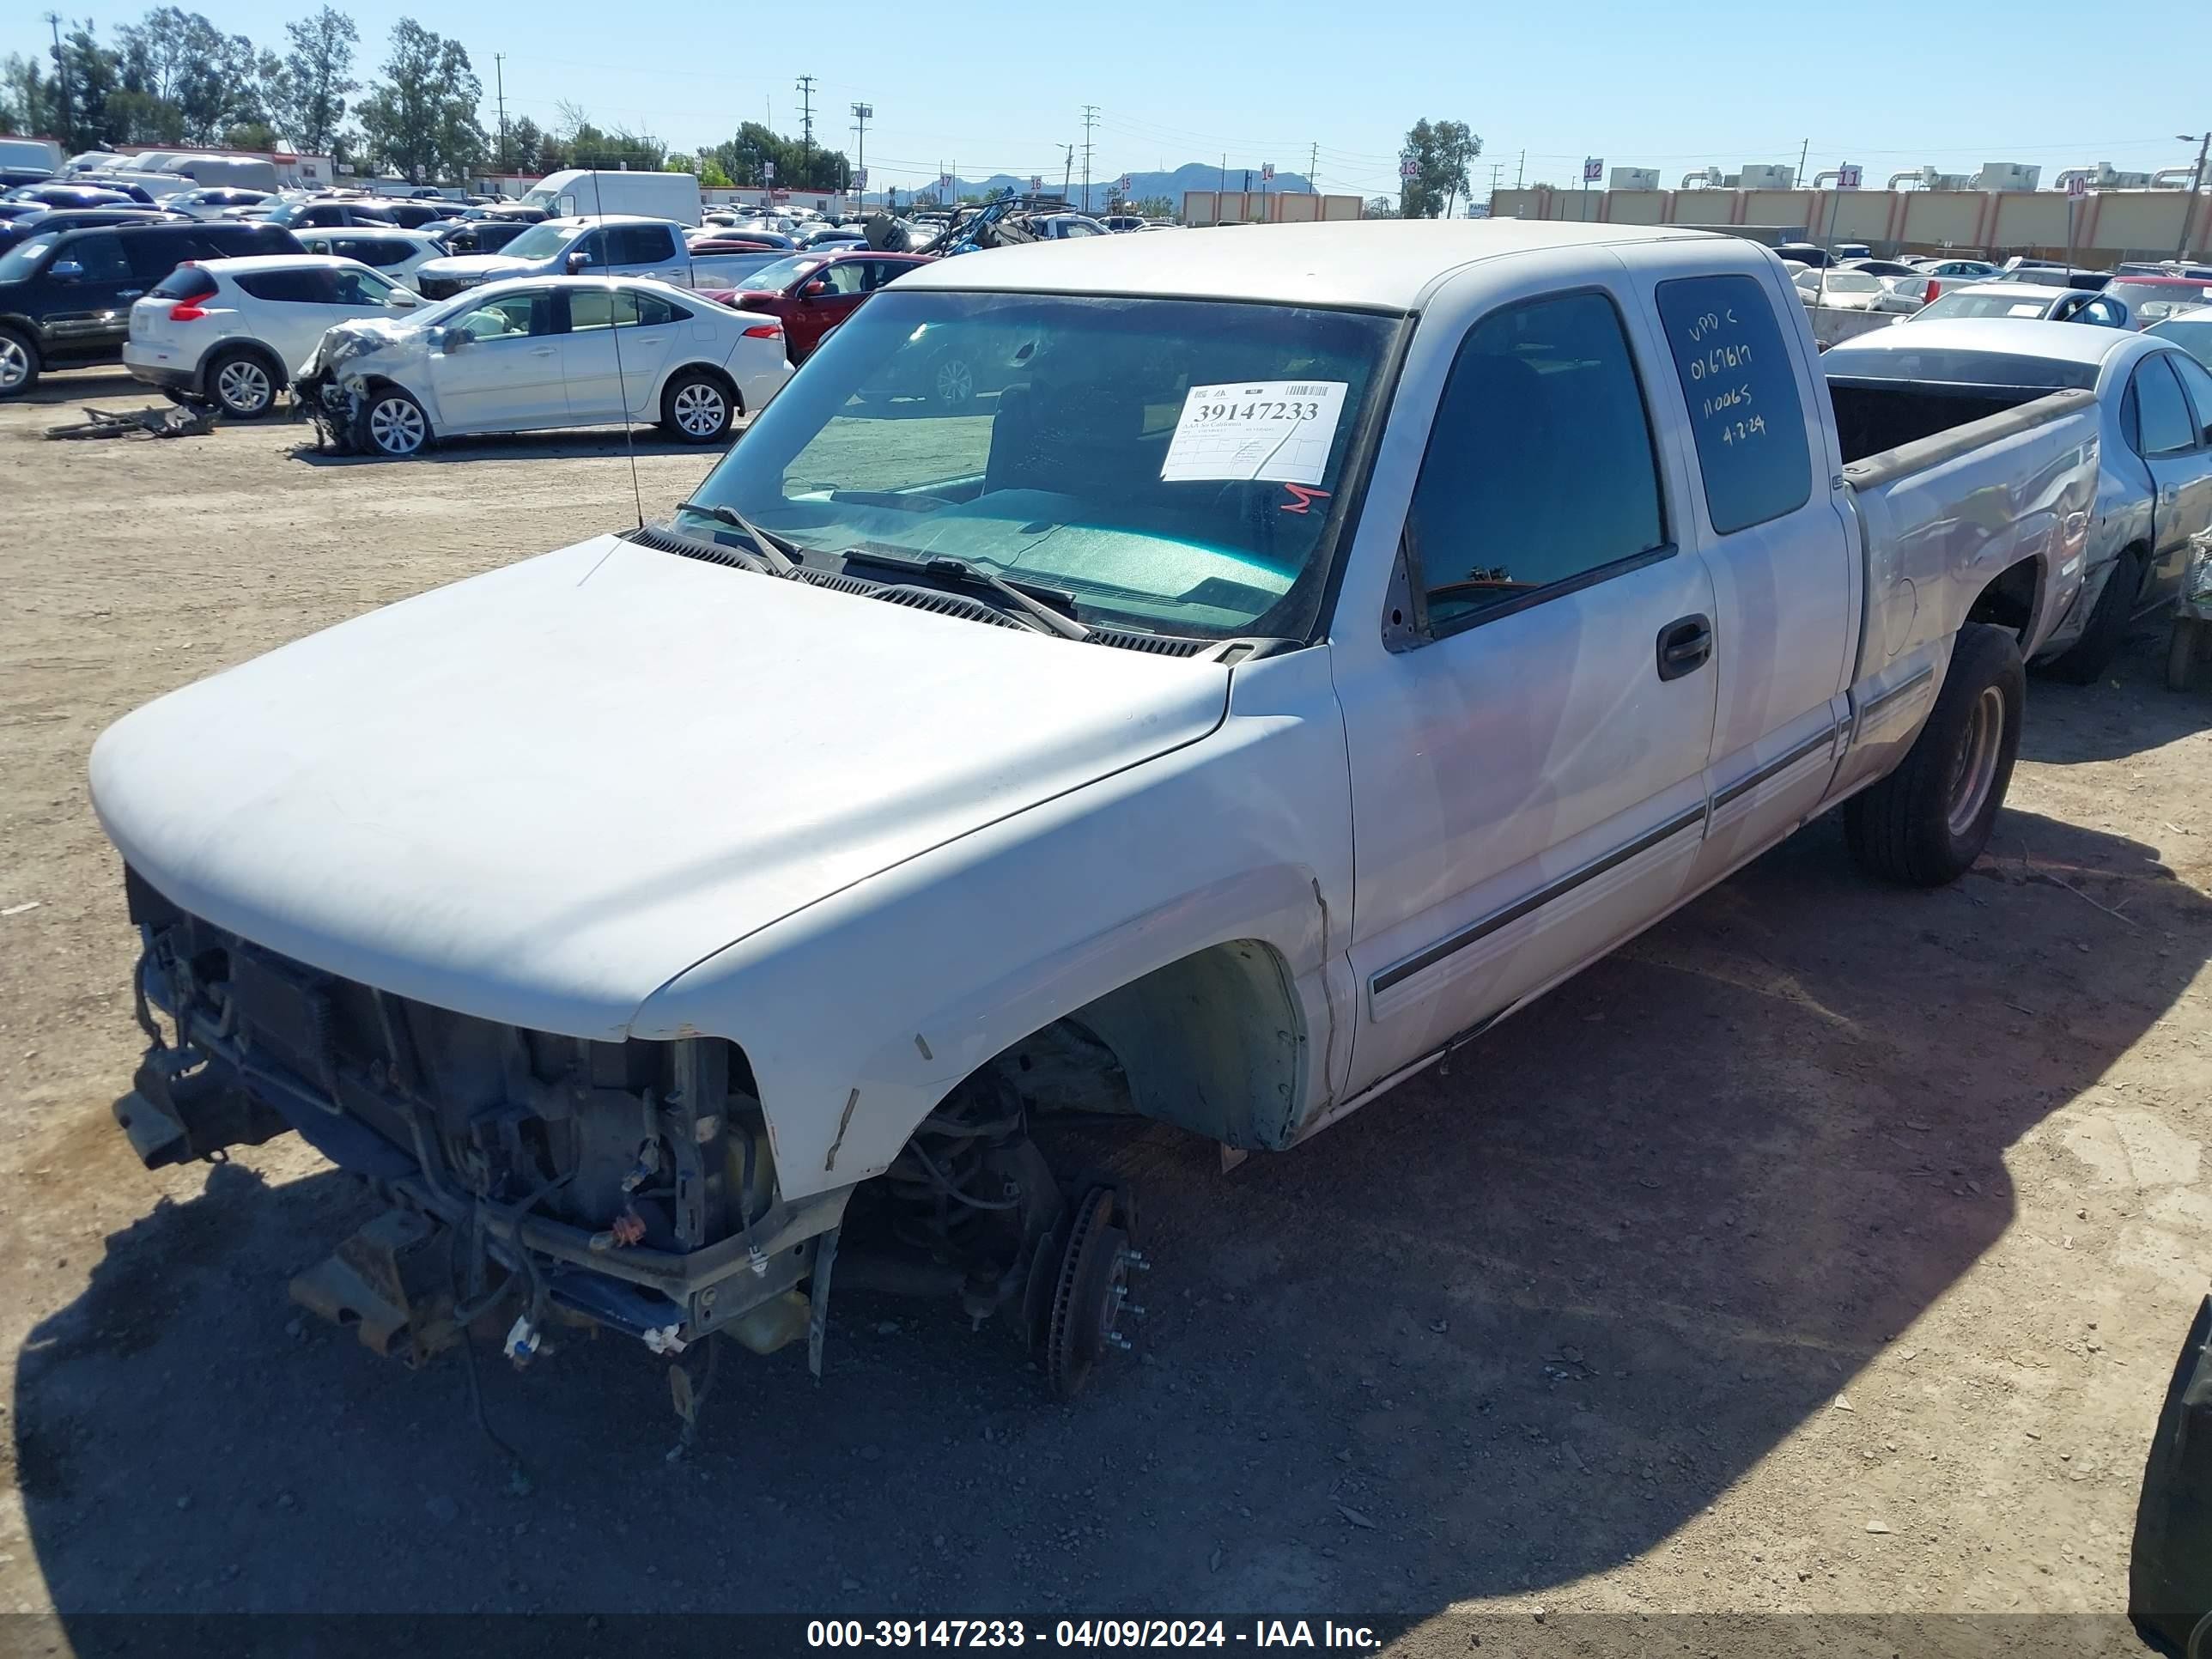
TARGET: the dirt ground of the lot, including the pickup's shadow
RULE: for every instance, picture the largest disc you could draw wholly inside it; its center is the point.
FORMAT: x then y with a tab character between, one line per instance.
1826	1251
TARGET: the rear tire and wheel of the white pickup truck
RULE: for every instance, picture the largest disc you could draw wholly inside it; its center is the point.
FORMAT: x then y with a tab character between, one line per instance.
1928	822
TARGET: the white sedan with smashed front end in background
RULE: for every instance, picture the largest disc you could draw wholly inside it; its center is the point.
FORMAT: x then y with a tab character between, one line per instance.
545	353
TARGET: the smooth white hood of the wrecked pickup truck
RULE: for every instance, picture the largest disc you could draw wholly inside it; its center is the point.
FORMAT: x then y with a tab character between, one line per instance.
543	793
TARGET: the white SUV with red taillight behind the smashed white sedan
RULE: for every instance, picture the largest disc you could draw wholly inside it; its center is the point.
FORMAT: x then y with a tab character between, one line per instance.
233	328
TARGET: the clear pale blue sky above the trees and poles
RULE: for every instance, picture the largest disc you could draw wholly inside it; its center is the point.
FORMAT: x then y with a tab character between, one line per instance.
999	87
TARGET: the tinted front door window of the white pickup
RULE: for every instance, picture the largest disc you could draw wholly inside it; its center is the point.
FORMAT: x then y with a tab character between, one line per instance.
1541	466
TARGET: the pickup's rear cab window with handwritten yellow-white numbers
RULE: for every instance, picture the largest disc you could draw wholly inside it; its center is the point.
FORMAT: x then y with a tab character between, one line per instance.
1742	397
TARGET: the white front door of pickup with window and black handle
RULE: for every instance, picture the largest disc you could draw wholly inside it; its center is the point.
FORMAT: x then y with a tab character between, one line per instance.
1530	740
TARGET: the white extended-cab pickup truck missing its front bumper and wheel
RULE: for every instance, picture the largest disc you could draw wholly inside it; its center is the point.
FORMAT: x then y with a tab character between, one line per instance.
1286	671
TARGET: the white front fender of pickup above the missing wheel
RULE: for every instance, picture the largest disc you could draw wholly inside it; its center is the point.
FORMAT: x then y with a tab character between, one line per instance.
868	1008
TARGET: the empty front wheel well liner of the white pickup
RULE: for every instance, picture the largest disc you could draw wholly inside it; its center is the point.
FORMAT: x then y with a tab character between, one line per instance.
1211	1043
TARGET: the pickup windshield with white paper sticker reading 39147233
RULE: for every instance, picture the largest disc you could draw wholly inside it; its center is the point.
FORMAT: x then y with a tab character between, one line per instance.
1173	466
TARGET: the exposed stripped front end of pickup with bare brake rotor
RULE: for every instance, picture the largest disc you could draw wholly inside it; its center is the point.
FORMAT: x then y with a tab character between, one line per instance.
536	1180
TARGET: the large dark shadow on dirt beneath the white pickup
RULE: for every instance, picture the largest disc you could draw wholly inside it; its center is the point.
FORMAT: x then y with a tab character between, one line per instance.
1505	1328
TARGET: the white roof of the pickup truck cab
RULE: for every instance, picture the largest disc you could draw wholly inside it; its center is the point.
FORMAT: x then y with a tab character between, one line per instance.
1381	264
